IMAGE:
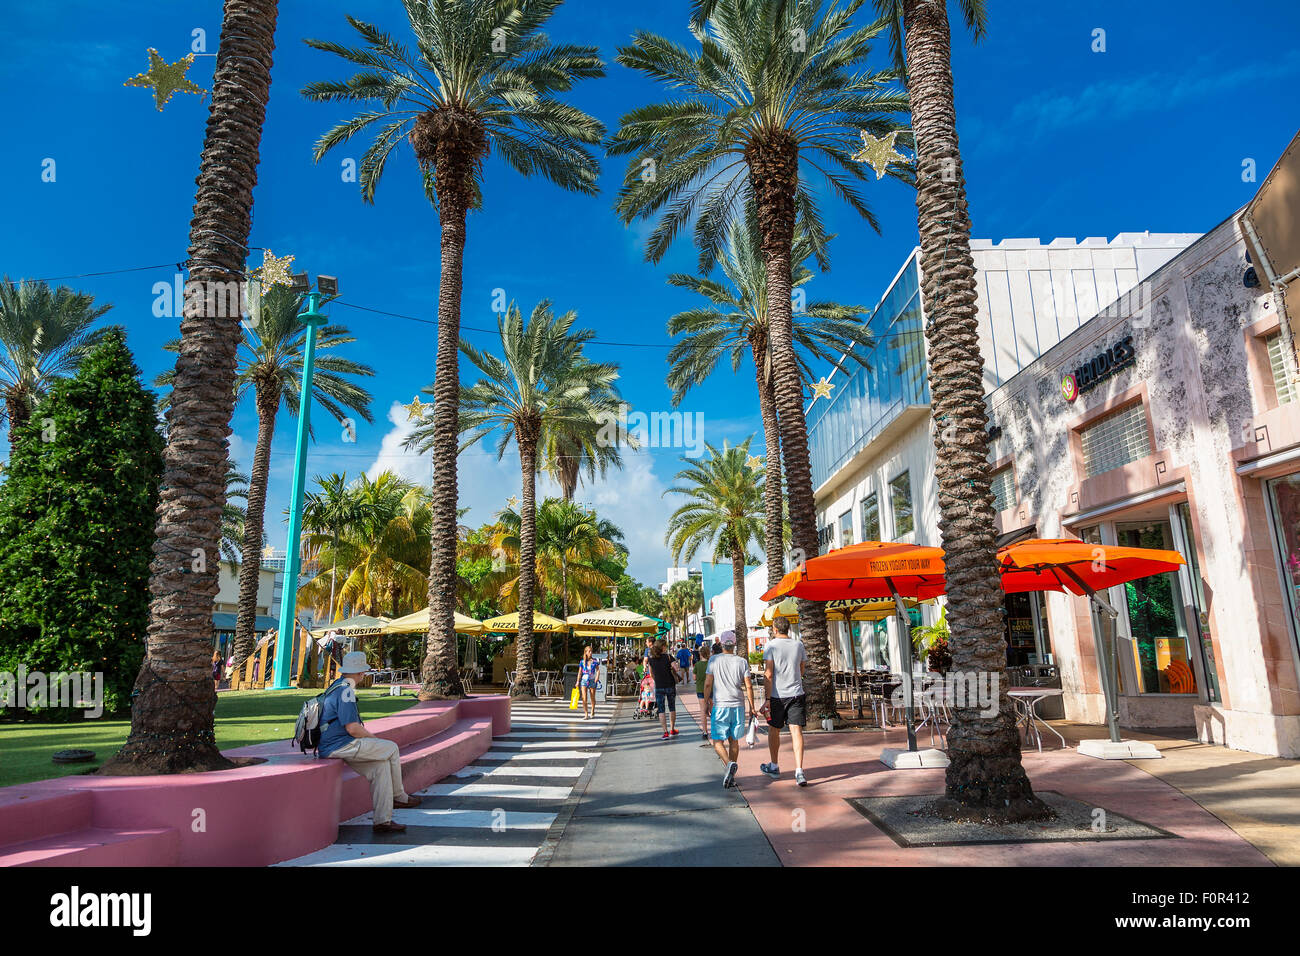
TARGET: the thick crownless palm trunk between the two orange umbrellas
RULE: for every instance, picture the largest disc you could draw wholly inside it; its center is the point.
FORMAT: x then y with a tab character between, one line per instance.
985	778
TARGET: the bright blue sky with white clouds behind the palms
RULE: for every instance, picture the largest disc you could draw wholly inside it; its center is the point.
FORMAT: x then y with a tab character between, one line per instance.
1058	141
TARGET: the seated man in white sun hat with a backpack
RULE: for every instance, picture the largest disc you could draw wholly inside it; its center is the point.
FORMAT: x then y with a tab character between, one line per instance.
345	737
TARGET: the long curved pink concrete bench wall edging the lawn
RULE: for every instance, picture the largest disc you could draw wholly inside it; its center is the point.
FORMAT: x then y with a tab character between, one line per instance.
284	808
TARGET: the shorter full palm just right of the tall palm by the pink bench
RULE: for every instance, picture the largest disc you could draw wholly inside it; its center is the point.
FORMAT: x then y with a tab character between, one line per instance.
541	386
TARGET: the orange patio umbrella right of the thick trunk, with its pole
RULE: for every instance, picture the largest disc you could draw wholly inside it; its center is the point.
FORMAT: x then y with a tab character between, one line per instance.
1085	569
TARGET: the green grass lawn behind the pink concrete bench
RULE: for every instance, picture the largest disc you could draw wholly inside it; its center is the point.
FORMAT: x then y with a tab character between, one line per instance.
244	719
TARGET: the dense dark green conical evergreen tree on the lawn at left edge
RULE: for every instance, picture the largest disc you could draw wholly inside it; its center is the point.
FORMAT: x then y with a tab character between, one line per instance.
77	513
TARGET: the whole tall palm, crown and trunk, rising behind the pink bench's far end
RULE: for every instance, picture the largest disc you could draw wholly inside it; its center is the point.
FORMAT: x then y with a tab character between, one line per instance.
483	77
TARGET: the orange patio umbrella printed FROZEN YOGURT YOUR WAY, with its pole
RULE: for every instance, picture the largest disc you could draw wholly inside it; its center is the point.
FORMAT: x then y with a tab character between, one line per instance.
873	570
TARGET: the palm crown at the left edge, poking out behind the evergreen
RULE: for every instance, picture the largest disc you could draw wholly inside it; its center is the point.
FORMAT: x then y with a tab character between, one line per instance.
44	336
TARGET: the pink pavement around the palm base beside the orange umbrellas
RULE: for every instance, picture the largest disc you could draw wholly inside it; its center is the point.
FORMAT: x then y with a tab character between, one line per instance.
848	765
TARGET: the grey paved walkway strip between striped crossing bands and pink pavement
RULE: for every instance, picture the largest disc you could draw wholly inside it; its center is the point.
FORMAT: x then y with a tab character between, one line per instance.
661	803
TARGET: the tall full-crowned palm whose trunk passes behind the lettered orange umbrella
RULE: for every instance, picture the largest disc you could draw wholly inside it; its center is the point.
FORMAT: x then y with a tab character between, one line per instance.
775	100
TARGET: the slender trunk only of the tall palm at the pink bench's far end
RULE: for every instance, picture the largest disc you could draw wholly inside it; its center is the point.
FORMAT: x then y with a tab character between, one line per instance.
441	678
